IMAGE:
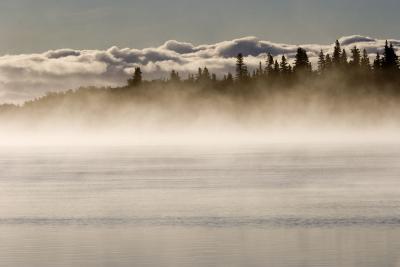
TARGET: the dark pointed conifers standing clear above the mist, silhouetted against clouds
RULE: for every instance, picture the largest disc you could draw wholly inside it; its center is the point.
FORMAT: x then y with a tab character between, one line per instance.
353	67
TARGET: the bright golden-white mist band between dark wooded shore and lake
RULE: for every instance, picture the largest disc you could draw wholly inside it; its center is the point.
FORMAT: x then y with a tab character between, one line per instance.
186	115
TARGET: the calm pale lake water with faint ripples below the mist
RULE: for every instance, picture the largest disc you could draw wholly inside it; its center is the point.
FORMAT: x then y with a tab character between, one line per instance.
275	205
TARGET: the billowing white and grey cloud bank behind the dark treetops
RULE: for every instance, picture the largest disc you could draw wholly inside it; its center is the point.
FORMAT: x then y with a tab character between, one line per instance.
24	77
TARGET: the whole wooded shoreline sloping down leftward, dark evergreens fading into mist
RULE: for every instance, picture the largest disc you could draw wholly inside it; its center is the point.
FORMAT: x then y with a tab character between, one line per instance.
343	78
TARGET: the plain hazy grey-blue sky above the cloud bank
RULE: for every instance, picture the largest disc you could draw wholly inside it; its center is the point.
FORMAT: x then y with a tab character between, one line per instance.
38	25
